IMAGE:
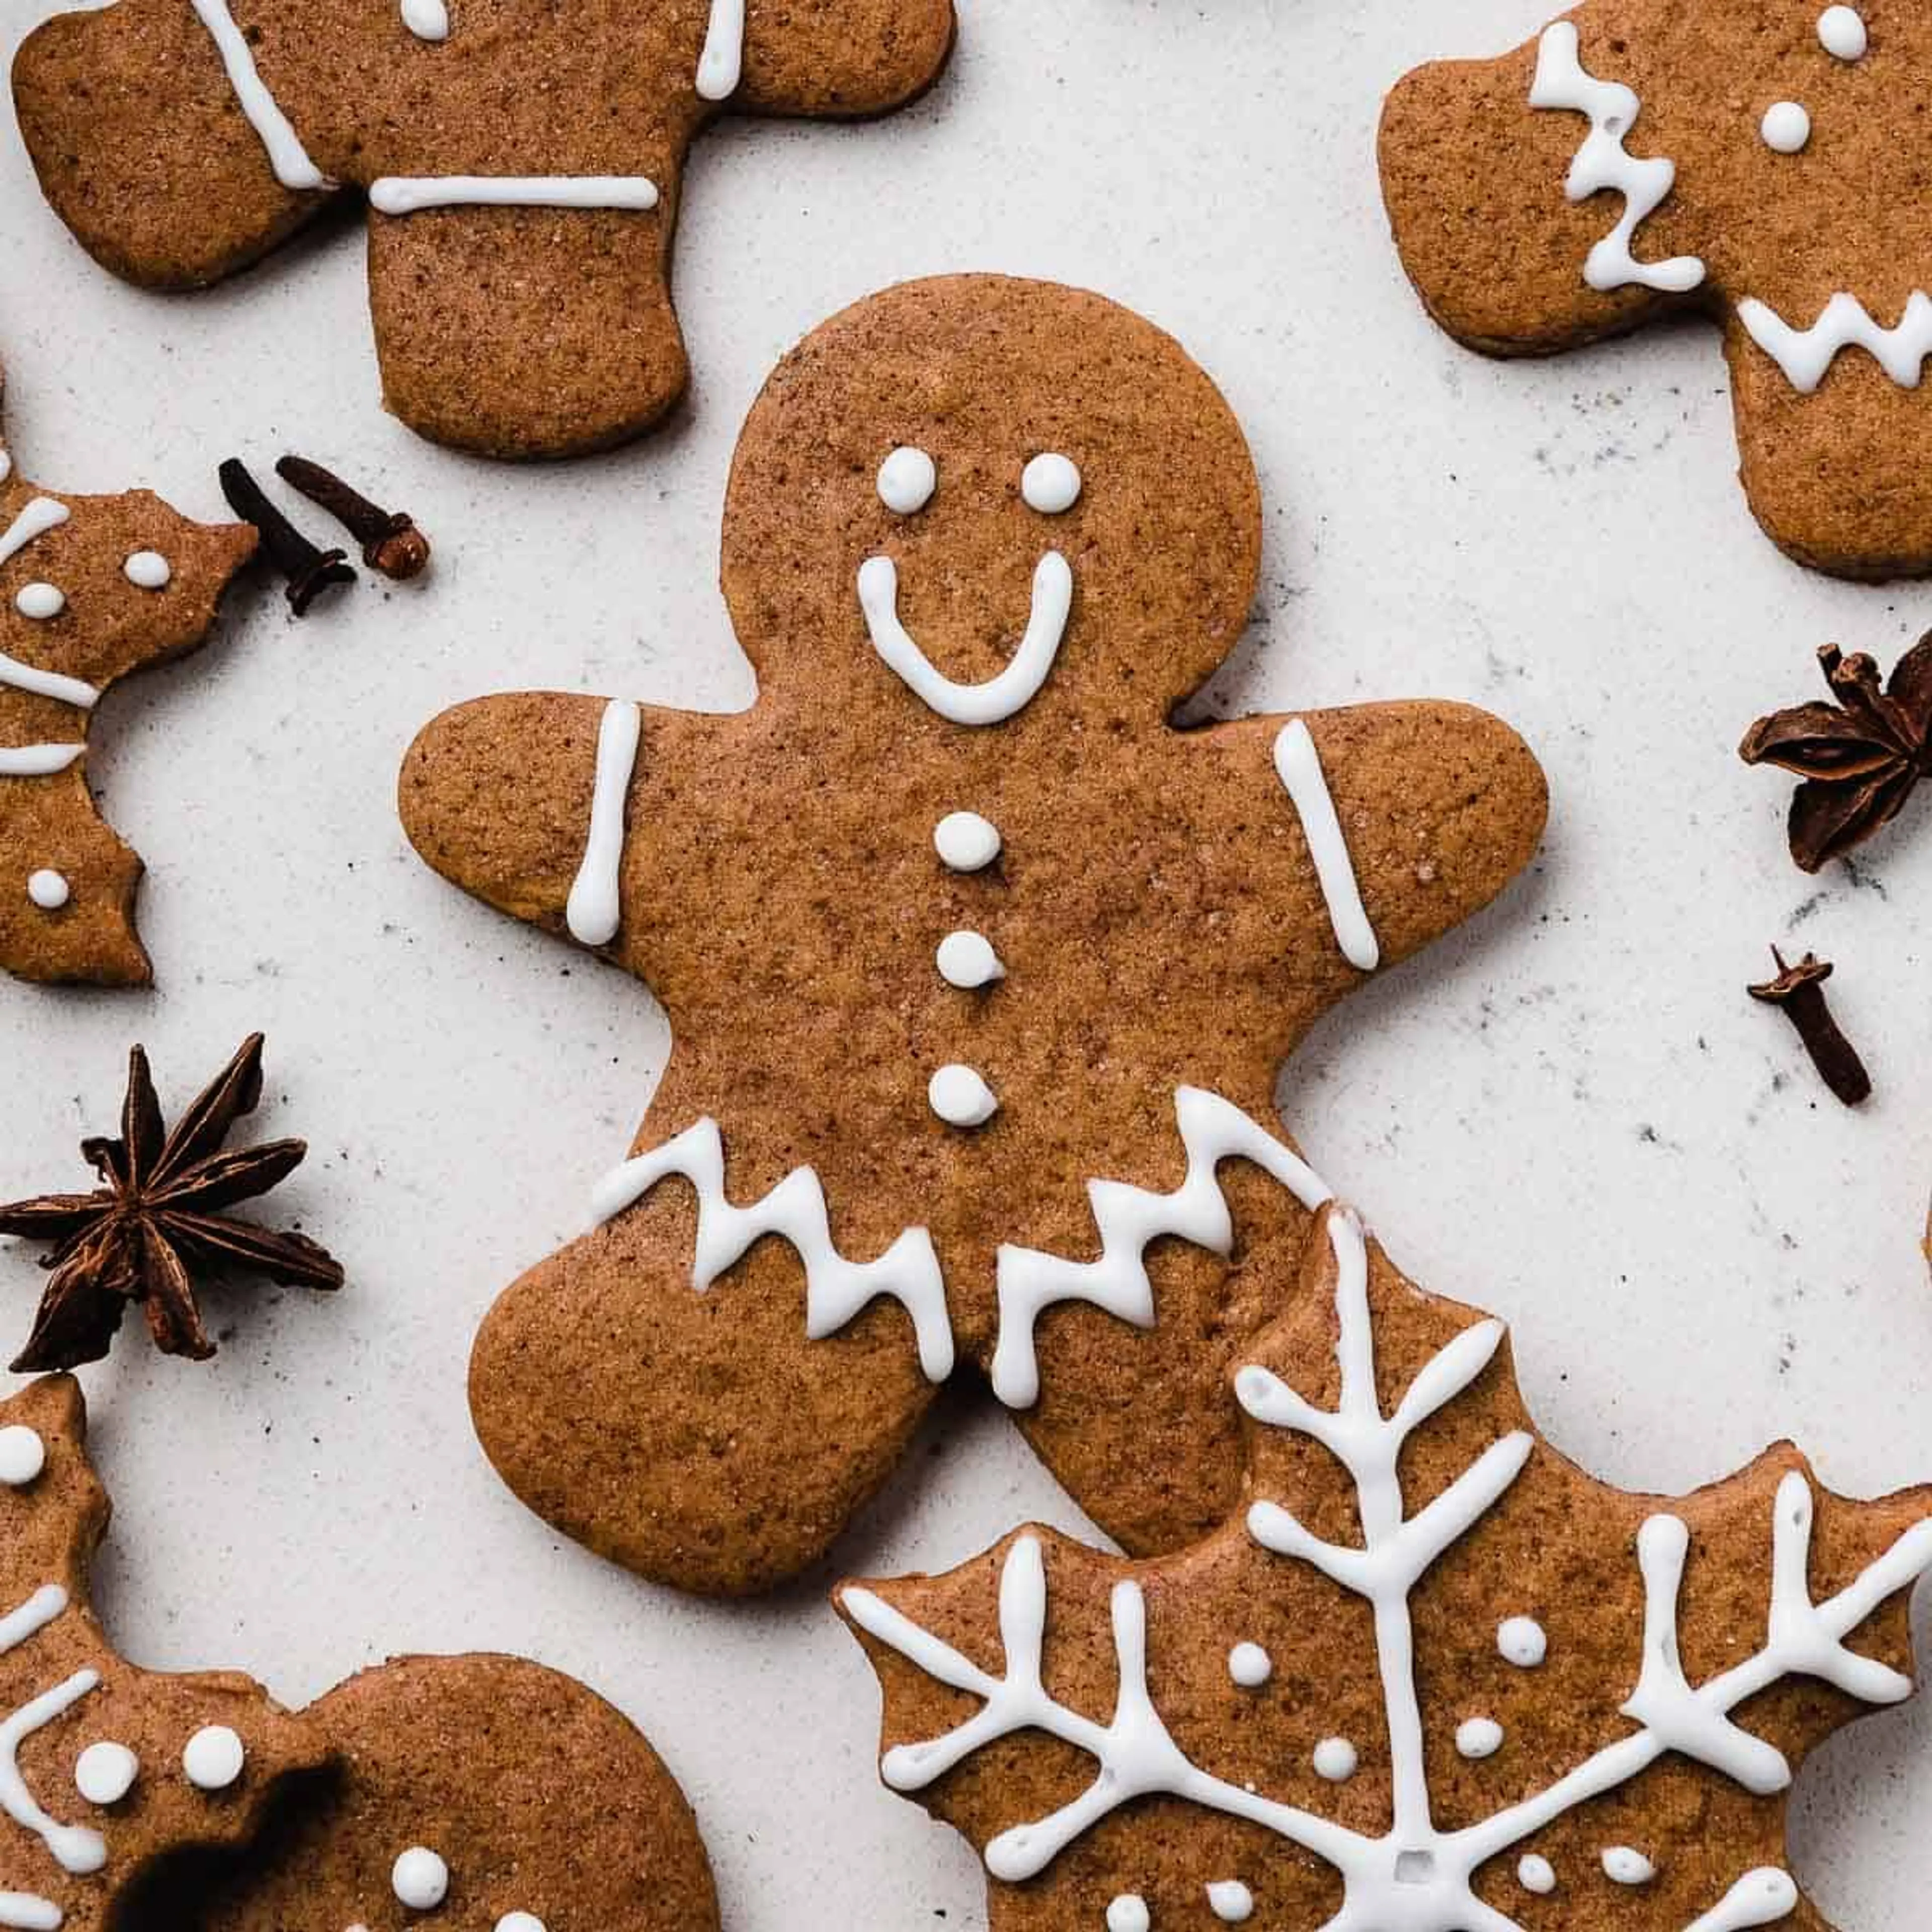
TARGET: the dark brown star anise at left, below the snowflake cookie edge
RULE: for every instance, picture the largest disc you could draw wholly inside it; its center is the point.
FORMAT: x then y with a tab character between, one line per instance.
159	1220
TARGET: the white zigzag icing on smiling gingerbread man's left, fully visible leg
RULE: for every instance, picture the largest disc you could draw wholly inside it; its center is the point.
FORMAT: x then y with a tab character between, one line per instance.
836	1290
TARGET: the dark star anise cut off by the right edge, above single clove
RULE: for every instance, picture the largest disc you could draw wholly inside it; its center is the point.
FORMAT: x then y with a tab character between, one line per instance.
1860	758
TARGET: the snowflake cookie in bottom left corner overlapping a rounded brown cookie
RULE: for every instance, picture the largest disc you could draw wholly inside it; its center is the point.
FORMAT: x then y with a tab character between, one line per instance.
103	1769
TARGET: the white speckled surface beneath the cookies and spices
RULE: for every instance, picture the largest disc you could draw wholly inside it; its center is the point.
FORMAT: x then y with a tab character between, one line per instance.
1574	1116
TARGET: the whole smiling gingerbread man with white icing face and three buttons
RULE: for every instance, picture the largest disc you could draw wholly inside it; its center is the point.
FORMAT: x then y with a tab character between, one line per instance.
979	967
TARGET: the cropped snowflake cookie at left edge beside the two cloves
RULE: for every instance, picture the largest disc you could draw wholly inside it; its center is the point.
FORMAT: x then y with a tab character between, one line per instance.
92	588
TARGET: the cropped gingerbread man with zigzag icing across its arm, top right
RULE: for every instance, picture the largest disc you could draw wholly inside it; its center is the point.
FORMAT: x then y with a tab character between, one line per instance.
1757	161
